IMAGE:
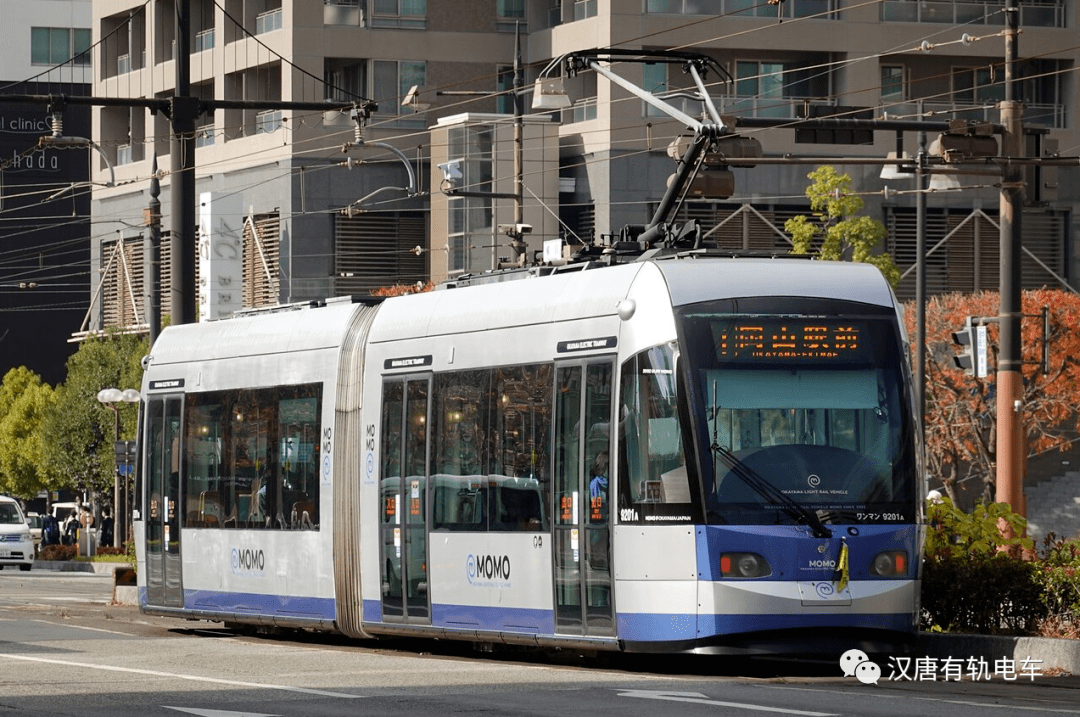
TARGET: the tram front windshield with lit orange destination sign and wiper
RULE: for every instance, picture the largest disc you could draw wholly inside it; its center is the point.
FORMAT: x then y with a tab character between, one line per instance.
801	408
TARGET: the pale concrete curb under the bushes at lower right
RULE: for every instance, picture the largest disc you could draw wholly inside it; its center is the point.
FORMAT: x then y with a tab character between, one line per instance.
1048	653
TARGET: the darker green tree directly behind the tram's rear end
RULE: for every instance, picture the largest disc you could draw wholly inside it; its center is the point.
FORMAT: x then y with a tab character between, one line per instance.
79	430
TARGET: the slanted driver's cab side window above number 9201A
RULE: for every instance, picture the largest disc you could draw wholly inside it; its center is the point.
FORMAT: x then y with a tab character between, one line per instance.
653	468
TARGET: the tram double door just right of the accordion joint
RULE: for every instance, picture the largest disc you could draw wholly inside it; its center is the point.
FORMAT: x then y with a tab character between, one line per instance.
404	560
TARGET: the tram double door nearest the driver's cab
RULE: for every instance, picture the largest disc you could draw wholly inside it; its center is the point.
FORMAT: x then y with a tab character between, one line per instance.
583	483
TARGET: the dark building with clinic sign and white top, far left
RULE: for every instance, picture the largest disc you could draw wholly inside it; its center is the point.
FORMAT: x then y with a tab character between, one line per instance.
45	205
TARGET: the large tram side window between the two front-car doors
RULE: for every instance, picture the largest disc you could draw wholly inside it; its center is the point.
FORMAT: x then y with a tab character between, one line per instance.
491	454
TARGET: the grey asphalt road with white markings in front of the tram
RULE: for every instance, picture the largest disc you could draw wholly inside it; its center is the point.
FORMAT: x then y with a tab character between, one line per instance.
64	651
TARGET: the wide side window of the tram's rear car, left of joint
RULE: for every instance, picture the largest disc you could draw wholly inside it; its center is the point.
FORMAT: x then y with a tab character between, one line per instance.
253	458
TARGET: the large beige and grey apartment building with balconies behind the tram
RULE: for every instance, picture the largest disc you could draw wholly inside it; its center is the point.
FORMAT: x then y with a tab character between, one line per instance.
281	182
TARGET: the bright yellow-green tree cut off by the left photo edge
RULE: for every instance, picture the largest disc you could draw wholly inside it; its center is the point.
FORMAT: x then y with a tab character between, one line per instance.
24	401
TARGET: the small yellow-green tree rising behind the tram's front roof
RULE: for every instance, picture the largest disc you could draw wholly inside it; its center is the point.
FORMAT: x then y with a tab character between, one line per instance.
844	236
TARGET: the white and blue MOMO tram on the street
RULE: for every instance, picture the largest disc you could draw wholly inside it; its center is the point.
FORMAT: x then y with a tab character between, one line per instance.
668	455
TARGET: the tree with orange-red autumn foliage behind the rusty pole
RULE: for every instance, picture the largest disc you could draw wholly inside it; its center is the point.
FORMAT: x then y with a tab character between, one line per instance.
962	411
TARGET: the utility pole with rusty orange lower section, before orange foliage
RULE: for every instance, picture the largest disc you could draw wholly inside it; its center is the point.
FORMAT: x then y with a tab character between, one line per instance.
1010	444
